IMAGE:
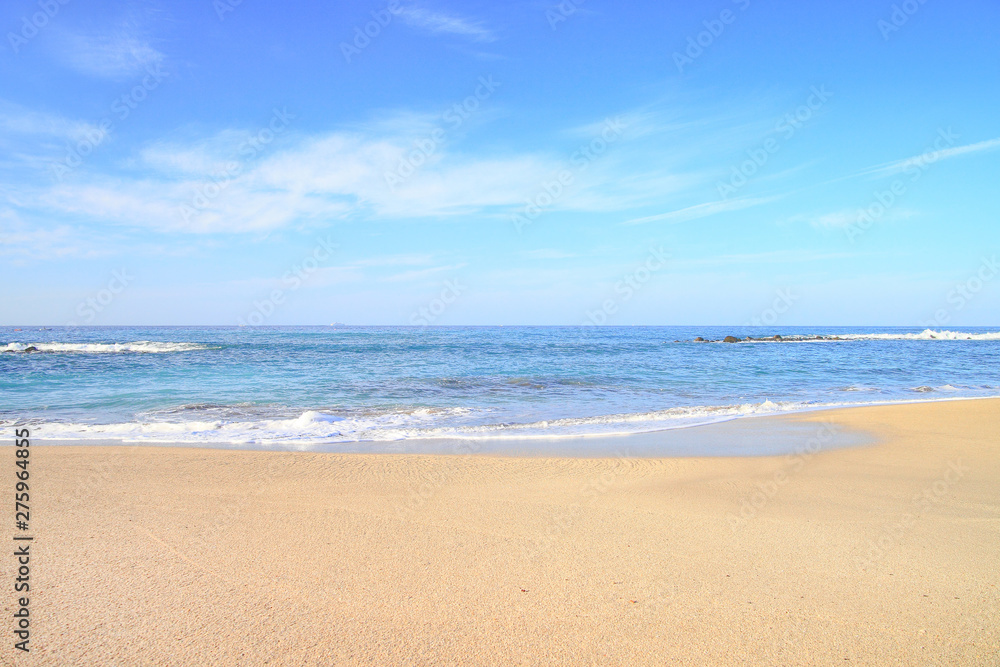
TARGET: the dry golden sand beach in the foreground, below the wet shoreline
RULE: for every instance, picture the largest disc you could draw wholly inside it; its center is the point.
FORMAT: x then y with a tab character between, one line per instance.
879	555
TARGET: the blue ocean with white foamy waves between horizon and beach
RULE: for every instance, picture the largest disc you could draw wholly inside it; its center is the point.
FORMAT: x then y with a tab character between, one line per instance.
309	387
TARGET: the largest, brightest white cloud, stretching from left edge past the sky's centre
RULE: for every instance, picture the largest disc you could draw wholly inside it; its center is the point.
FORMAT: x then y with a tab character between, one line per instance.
325	177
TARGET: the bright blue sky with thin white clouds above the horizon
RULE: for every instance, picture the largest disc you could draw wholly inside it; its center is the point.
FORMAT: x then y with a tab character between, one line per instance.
435	162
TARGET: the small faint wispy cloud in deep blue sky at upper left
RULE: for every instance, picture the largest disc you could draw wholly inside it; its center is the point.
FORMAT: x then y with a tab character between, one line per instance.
115	54
